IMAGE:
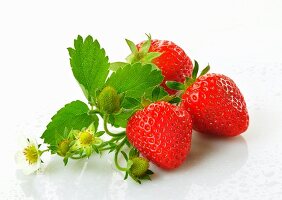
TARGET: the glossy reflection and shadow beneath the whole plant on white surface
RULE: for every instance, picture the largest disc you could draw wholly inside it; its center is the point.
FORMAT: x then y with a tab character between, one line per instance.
211	161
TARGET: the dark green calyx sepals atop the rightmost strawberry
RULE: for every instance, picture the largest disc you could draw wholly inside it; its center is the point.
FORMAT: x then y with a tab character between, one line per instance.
189	80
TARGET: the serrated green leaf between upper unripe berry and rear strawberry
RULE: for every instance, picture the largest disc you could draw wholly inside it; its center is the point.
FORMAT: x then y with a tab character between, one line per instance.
135	79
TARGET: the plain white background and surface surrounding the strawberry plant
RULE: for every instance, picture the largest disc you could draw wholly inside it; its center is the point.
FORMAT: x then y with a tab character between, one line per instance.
240	38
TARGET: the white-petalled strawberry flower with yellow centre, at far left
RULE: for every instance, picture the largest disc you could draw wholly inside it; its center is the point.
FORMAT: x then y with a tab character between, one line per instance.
28	157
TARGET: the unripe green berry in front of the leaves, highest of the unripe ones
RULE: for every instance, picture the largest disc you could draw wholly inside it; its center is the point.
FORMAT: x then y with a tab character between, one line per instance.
108	100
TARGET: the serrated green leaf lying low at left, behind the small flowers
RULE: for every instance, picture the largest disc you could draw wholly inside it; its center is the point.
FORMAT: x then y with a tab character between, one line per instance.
71	116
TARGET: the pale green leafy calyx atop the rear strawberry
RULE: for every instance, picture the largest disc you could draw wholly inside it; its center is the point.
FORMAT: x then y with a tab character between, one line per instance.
142	54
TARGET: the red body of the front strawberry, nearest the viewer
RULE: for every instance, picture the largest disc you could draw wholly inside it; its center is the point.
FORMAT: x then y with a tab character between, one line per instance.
162	133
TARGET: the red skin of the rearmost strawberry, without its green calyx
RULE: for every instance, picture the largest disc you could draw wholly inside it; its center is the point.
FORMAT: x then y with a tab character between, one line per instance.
174	63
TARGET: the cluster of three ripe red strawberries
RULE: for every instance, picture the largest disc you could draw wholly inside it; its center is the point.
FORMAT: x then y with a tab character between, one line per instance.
210	104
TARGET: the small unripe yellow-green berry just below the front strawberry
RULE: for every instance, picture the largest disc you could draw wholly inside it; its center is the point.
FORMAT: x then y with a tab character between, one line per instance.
139	167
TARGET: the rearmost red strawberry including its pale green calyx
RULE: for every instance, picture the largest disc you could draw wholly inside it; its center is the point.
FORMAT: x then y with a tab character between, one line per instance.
167	56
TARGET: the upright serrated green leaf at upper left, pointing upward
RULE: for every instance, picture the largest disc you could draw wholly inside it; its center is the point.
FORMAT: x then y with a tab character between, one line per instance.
89	64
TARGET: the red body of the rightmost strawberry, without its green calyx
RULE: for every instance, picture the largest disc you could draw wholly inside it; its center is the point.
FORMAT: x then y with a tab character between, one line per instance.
216	105
